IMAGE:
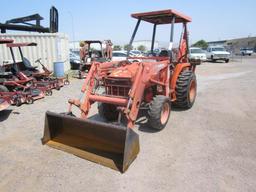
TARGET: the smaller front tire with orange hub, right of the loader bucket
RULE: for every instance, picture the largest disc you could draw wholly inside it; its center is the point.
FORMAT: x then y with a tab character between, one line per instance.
159	112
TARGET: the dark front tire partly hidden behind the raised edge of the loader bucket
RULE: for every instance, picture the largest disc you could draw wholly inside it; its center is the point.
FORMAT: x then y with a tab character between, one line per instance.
108	111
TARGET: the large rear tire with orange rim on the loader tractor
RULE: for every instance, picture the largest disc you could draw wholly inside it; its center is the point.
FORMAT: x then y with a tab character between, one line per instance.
186	87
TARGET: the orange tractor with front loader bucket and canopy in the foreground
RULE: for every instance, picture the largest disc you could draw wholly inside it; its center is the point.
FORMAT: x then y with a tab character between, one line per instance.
121	90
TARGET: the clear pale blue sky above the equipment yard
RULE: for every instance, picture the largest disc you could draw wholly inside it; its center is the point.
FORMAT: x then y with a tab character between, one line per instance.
110	19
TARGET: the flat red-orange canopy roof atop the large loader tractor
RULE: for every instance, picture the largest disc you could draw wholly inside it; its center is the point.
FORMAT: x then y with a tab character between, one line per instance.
162	17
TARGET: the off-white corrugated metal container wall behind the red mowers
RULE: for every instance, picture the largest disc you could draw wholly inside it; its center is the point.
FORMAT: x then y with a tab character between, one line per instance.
50	48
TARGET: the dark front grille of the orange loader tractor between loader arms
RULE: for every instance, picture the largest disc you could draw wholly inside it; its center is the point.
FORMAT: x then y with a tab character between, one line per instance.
117	87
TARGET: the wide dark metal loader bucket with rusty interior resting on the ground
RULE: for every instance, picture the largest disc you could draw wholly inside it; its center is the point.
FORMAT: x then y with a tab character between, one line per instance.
110	145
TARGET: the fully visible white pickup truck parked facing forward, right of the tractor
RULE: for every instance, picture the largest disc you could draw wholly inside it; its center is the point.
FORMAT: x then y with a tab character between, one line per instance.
217	53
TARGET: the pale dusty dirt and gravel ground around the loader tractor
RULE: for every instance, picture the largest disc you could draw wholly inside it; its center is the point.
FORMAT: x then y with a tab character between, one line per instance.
210	147
